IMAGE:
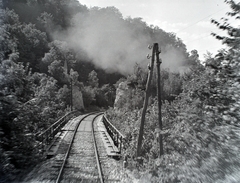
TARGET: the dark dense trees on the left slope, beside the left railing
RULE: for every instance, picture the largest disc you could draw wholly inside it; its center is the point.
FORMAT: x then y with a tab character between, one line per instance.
35	75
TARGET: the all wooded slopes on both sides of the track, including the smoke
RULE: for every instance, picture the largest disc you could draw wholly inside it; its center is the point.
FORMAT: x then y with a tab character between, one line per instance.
50	46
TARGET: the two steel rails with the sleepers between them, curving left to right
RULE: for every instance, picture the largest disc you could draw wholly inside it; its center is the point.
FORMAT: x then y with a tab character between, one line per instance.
80	162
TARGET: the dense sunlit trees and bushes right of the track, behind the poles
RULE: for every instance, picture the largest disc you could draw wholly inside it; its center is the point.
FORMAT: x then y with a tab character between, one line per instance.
201	131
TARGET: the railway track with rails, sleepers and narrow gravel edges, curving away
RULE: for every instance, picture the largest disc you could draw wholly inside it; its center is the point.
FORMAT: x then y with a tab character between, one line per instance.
81	156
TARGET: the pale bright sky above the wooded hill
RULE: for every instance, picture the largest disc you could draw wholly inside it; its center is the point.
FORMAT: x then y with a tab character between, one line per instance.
189	19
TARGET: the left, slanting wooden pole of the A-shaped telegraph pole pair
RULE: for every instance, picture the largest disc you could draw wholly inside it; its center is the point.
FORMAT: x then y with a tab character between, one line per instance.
147	94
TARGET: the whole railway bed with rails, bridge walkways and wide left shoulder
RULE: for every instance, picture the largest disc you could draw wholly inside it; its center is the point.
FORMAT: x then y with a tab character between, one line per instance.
73	157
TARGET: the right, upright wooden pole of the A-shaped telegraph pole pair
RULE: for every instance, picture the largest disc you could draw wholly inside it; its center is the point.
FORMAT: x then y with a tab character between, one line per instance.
159	99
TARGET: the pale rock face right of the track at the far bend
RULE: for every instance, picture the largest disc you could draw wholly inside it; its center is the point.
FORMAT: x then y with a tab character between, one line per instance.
121	93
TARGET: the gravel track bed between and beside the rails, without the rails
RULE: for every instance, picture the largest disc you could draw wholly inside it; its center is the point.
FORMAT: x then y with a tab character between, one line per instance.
81	164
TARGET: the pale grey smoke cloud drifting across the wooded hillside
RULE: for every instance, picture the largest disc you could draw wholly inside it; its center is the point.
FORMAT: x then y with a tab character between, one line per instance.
113	43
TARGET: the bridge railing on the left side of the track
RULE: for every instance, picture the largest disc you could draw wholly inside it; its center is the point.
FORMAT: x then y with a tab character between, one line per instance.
46	136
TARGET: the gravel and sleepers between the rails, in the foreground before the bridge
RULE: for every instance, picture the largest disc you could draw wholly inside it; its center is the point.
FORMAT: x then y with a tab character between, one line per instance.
81	164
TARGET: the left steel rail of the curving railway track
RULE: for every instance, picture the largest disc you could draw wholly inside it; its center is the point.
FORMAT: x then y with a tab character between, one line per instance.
70	146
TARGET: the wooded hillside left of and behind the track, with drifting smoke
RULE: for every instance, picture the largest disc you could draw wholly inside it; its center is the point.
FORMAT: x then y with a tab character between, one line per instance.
49	45
